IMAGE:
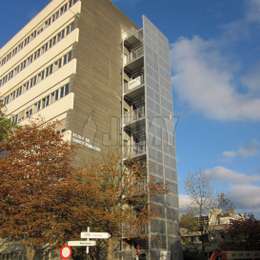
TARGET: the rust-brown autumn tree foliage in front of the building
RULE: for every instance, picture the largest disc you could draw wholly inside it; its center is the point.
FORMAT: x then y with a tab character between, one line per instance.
44	199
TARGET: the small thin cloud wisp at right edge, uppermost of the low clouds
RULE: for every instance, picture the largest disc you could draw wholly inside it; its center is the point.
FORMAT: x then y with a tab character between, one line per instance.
243	152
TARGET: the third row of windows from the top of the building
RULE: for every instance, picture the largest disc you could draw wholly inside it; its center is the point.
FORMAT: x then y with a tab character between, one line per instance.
38	77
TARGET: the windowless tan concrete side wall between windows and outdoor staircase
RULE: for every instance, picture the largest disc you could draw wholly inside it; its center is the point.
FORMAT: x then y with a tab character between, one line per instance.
97	84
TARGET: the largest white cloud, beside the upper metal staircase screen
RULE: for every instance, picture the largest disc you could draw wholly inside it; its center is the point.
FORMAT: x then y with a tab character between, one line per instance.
204	78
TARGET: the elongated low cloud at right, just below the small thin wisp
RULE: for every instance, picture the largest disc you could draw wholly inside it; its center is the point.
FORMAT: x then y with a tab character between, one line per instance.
230	177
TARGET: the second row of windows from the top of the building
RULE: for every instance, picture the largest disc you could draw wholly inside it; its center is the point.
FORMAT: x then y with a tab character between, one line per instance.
39	52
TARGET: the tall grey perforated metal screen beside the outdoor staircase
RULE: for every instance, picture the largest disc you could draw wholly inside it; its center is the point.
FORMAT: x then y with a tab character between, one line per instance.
161	160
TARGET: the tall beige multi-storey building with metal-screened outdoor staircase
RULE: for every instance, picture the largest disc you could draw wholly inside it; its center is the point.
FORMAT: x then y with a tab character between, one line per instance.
108	83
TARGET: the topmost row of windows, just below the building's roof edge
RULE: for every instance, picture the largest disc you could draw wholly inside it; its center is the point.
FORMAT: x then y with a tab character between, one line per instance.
37	31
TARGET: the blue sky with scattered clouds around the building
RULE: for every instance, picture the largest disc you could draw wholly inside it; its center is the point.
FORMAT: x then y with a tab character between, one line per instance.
215	52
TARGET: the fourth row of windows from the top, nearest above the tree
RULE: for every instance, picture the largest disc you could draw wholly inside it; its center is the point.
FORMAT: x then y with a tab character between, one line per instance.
42	104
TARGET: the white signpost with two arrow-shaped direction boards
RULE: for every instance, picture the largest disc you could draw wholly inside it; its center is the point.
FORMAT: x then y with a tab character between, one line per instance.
89	235
